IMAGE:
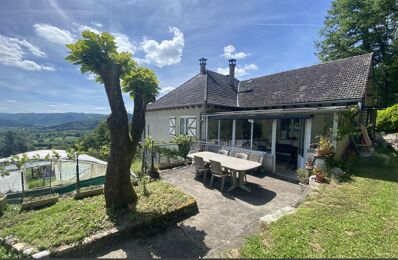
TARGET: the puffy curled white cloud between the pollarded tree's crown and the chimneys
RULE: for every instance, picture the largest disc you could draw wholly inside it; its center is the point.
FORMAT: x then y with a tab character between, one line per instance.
167	52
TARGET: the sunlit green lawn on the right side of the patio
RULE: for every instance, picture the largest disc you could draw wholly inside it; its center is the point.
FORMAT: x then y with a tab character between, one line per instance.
358	218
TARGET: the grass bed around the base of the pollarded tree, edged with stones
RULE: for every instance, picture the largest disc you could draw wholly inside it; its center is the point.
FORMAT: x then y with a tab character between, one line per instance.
71	221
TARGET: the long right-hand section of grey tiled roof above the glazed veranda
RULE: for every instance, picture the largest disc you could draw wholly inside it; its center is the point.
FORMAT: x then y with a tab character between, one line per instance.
344	79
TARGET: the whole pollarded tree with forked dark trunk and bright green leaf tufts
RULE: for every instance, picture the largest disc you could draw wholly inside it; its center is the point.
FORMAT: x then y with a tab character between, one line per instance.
96	53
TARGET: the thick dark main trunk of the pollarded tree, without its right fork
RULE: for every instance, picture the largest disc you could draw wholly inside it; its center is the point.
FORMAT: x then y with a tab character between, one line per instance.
119	192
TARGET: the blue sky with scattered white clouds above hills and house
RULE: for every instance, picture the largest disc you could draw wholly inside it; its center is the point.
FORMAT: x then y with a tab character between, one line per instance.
264	36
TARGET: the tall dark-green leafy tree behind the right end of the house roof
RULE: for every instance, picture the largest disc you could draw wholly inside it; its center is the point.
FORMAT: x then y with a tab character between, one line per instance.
355	27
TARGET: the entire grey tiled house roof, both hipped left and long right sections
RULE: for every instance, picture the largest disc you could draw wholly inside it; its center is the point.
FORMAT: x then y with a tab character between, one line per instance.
344	79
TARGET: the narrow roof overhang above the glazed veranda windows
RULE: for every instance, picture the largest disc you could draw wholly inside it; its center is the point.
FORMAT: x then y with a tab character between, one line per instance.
281	113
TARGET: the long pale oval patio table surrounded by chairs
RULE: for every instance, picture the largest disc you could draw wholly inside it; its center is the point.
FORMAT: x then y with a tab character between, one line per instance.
234	164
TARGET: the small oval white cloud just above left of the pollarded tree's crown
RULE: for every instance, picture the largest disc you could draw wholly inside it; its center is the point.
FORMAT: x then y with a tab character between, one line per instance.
53	34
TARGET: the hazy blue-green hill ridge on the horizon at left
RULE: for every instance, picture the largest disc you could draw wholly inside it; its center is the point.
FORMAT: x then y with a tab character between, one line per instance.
58	121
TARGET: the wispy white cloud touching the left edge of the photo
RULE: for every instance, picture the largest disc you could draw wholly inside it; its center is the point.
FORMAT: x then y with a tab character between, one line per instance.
13	52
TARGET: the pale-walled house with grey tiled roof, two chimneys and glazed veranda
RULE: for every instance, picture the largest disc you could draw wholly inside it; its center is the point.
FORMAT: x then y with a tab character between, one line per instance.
279	114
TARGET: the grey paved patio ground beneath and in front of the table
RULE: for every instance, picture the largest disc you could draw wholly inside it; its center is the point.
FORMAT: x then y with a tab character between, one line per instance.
224	219
